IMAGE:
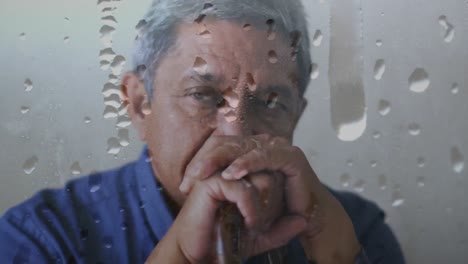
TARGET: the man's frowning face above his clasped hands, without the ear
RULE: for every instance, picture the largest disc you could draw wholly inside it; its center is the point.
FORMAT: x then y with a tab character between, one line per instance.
220	79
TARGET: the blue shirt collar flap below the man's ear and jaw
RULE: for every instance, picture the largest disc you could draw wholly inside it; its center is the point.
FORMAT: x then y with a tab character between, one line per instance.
152	201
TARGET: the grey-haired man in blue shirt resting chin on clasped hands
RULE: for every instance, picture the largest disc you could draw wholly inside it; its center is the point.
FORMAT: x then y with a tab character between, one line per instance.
216	93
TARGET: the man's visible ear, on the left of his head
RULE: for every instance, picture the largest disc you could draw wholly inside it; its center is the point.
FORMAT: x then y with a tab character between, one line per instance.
136	101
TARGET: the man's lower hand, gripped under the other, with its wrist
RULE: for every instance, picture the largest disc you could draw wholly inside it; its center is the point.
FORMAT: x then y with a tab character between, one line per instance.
192	232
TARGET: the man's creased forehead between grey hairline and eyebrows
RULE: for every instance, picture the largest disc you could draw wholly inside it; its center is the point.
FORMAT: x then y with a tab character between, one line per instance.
227	45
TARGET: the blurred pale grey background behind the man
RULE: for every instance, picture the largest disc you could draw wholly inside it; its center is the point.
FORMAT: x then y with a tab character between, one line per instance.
404	148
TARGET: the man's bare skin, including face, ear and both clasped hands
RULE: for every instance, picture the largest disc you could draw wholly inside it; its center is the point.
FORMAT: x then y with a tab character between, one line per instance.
214	137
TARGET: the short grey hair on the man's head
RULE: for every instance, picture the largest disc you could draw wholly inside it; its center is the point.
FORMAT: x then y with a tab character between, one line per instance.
158	29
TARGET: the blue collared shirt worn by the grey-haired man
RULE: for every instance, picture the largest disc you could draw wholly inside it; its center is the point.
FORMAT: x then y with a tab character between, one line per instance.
119	216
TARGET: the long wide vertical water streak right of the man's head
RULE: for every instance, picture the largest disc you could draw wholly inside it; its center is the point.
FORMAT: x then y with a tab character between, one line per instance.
346	66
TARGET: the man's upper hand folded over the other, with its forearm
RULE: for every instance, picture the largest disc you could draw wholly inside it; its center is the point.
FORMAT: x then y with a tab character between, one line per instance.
329	236
